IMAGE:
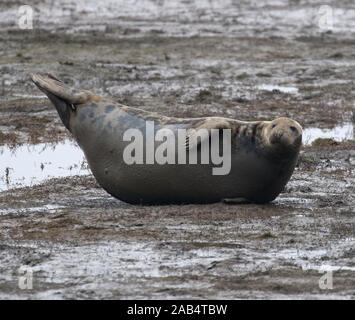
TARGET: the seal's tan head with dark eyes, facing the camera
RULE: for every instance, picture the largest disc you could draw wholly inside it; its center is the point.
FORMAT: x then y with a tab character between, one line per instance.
283	134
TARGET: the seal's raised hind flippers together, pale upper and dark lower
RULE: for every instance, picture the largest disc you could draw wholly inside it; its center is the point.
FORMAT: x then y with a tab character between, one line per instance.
61	95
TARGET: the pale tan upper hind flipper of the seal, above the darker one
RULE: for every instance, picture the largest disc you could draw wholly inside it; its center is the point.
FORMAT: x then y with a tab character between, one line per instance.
52	85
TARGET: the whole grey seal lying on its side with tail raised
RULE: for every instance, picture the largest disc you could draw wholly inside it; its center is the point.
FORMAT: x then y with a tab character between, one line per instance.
263	153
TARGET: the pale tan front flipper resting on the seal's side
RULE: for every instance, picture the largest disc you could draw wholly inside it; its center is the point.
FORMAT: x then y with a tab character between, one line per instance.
201	131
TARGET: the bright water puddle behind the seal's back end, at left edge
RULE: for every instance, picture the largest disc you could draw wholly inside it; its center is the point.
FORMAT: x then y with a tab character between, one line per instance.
32	164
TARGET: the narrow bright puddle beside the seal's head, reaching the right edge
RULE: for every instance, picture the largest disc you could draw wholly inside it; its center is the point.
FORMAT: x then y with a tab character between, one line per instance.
339	133
